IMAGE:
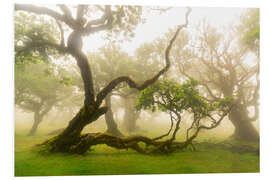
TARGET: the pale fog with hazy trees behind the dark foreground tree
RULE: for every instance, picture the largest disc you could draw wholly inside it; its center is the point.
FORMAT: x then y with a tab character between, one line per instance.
50	88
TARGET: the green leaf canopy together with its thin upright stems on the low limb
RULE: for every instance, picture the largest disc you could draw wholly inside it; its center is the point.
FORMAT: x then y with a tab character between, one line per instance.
175	99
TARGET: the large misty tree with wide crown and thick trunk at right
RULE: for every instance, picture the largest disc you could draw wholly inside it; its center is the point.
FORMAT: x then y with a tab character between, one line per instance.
225	64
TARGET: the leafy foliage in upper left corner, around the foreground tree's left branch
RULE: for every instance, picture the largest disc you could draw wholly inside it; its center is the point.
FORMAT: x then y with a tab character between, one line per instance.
30	28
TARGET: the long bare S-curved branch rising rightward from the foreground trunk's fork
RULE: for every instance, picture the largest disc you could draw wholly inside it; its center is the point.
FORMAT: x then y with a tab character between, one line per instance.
132	84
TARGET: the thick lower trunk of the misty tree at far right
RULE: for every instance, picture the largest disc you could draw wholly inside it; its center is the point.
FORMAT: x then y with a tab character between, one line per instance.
244	130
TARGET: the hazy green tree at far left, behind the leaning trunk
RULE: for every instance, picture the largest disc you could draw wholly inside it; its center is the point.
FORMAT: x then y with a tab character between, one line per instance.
38	90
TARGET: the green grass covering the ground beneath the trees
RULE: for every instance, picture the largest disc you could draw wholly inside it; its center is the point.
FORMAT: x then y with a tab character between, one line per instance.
108	161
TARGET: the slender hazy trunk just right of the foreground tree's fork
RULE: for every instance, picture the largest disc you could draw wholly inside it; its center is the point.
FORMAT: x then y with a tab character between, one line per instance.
111	124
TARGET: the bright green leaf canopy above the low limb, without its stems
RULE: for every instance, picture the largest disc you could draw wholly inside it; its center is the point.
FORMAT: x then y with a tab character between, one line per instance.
167	95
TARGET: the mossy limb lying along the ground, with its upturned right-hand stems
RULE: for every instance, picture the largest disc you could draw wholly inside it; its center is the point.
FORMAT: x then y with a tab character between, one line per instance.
79	144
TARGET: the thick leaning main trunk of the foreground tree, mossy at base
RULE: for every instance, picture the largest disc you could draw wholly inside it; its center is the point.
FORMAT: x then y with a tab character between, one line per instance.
91	111
